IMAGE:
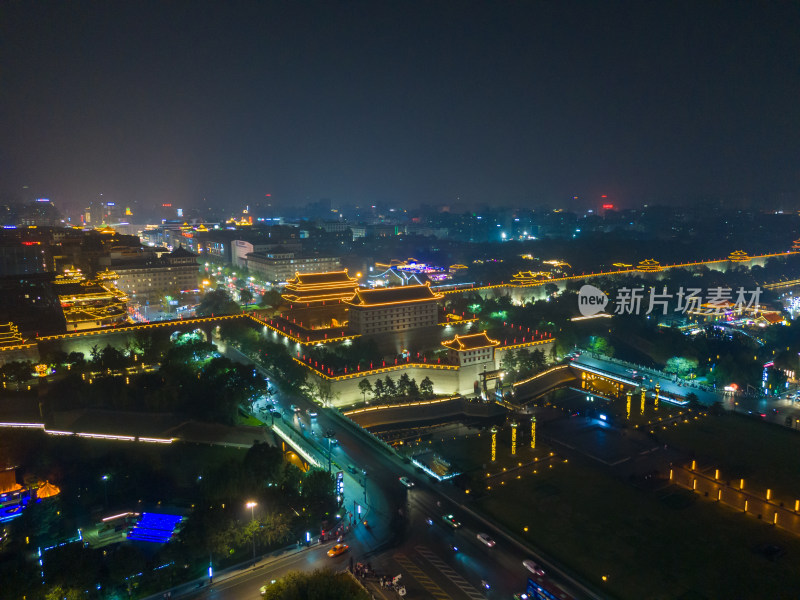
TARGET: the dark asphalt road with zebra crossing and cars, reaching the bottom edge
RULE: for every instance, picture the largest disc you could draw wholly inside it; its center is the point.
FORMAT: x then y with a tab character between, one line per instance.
399	540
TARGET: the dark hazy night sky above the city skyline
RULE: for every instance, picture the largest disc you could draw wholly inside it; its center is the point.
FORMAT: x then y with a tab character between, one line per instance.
514	102
